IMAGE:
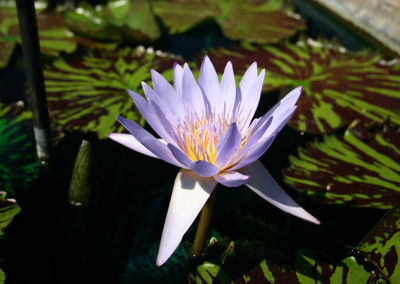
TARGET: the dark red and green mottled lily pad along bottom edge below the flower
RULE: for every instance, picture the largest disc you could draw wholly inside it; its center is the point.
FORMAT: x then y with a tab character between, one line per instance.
262	266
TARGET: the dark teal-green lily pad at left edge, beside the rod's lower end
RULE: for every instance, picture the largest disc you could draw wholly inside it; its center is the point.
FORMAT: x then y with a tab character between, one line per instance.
18	160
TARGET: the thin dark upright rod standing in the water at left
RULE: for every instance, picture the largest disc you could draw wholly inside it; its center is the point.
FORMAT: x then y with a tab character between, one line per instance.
34	73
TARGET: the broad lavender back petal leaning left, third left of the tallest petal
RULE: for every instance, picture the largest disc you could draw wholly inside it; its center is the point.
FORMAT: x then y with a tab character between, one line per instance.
167	93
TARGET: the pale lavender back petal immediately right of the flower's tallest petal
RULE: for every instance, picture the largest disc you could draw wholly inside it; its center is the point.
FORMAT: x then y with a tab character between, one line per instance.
227	90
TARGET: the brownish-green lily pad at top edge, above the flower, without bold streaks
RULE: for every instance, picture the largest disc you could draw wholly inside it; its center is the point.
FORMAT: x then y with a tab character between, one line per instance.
254	21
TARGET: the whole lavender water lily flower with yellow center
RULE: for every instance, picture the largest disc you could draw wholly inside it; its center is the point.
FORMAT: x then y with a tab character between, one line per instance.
207	129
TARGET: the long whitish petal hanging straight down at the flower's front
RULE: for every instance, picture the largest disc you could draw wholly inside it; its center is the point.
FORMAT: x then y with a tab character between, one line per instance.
189	195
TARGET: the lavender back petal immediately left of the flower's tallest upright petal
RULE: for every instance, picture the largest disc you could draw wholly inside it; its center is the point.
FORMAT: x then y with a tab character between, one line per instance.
191	92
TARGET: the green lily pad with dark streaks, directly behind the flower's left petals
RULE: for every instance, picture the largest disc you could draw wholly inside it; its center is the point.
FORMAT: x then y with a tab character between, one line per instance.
86	92
